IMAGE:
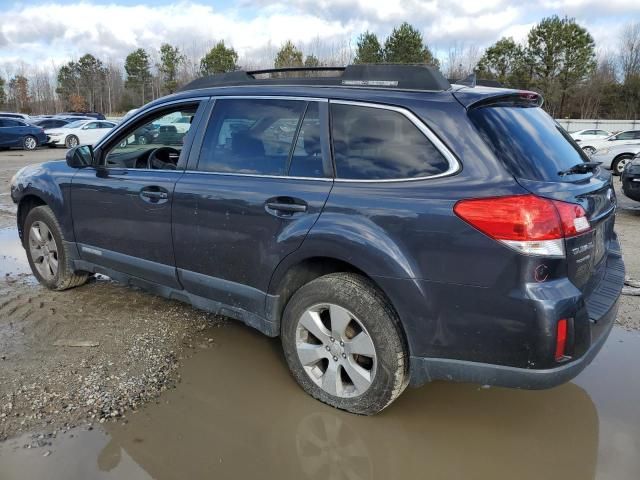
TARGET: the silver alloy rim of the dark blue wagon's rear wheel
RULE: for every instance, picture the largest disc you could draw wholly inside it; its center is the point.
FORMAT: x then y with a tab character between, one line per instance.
335	350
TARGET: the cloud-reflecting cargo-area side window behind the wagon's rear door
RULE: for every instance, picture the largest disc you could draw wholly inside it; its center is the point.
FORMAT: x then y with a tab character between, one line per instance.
378	144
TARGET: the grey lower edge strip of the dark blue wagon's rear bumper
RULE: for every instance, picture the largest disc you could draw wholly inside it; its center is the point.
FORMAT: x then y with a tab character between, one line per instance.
424	370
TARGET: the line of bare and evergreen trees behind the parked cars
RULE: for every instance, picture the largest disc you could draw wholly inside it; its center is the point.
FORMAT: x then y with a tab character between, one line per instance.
558	58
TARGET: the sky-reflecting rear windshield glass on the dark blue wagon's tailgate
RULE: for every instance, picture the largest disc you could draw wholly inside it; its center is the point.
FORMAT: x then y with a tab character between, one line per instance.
530	143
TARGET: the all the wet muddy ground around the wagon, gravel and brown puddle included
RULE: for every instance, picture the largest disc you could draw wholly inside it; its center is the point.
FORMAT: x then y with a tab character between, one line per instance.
236	411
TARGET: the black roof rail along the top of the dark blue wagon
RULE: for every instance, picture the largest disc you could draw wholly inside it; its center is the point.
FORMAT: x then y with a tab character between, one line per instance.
395	76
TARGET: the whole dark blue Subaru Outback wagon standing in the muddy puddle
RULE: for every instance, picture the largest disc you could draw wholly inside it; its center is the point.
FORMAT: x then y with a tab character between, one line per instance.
389	227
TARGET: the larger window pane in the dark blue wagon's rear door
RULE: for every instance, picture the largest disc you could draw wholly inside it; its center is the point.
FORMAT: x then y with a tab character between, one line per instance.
251	136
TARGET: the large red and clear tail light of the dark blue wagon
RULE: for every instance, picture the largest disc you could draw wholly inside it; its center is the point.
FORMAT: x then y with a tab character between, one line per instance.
527	223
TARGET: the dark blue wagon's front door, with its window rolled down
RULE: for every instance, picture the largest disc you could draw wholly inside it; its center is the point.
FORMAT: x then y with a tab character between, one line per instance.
122	207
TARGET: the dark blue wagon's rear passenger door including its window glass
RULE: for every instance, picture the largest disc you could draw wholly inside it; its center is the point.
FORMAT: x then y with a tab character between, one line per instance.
249	198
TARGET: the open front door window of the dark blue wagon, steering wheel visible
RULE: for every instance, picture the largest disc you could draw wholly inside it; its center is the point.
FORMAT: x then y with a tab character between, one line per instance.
154	142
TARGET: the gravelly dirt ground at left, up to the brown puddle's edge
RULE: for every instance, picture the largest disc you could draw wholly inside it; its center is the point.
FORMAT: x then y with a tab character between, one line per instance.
139	338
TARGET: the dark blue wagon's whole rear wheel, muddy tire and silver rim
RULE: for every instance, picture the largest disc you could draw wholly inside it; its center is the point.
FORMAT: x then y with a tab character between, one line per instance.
340	308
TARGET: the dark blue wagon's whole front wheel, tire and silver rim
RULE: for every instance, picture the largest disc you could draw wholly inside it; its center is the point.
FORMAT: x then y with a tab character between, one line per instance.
48	255
